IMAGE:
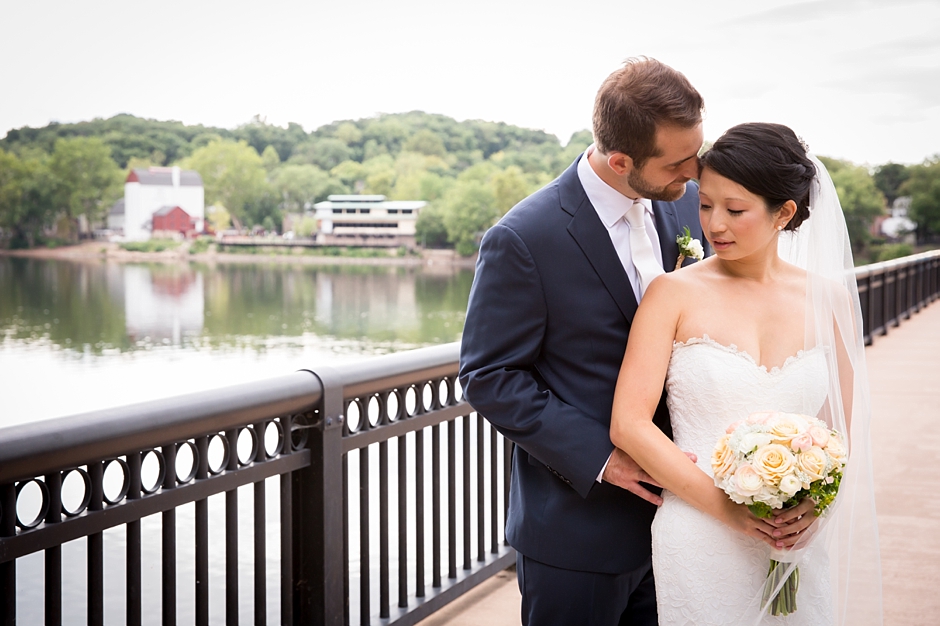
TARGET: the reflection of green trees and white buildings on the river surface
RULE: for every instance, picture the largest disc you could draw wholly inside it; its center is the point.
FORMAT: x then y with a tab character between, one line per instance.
99	306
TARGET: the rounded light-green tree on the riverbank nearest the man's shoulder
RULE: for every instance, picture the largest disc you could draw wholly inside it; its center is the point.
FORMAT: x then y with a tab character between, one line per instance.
469	209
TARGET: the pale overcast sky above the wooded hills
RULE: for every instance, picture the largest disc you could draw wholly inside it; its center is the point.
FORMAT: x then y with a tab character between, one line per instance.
857	79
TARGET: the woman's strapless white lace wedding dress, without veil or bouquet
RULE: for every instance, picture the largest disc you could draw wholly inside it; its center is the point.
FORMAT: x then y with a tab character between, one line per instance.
706	573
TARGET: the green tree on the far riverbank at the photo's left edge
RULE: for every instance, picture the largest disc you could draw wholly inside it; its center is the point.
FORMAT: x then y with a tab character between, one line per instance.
24	199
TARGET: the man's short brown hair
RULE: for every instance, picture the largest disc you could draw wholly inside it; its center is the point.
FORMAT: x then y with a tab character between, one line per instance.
637	98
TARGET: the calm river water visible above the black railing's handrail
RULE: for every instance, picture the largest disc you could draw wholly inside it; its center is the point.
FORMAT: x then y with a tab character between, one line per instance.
78	336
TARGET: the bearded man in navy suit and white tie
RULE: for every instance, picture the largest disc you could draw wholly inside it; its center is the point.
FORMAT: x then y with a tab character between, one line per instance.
557	284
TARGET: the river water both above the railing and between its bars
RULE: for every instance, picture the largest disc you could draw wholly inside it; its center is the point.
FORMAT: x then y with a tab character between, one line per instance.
78	336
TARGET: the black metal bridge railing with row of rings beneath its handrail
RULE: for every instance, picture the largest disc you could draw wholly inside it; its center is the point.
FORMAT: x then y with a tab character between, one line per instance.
334	440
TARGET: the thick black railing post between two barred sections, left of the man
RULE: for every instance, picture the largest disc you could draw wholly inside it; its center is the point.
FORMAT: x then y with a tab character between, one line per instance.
318	514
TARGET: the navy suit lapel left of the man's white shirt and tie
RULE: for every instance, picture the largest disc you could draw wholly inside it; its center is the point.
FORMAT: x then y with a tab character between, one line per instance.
591	236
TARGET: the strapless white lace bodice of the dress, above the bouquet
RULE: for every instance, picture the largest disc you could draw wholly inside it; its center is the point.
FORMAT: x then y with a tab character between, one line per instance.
711	385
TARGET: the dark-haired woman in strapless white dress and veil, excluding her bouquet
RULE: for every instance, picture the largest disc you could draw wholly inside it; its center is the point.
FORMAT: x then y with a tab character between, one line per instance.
771	321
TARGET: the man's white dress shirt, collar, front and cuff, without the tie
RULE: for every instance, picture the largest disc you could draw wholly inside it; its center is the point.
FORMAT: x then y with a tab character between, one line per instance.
611	207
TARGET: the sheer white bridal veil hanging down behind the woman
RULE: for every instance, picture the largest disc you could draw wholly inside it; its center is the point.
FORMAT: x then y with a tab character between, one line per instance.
834	321
